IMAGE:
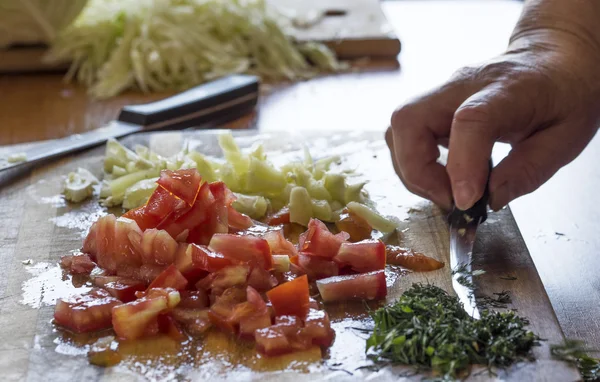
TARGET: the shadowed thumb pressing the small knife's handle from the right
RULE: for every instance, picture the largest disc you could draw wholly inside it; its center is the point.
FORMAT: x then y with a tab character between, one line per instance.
535	160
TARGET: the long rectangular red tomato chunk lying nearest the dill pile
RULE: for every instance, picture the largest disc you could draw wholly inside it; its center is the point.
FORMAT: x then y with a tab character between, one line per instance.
362	286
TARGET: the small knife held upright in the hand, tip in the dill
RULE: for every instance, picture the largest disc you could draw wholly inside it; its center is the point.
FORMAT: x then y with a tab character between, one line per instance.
463	228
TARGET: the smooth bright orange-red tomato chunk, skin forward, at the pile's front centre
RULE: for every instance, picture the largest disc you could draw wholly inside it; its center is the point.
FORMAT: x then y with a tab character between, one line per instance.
291	298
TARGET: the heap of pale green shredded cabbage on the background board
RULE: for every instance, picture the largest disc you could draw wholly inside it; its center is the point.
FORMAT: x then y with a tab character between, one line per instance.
158	45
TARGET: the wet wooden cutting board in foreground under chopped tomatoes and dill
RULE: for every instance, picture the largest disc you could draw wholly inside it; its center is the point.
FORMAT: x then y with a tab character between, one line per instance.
38	227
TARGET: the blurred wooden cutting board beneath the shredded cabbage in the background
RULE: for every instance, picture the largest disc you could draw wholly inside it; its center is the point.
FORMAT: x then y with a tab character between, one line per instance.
352	28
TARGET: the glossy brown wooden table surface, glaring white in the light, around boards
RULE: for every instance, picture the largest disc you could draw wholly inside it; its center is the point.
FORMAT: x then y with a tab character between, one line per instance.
438	37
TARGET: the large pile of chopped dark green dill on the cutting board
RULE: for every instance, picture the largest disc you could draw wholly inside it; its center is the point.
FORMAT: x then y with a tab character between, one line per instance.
429	329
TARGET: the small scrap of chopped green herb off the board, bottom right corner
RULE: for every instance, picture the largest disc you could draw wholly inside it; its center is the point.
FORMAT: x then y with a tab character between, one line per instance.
573	352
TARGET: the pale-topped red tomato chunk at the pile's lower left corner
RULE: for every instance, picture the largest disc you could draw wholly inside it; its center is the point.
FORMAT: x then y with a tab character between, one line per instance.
87	312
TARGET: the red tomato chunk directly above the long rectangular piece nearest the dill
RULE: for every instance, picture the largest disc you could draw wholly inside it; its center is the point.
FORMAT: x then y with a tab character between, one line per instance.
363	256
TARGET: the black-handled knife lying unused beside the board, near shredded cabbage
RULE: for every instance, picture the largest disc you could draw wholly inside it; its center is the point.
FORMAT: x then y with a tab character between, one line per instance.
207	105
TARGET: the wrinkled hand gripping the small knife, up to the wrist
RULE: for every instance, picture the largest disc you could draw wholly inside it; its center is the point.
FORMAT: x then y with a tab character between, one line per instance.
542	96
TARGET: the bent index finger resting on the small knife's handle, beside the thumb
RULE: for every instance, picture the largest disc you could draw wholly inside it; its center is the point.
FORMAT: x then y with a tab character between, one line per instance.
477	124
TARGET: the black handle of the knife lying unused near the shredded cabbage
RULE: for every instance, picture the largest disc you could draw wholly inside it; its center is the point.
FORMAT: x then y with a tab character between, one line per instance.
226	98
